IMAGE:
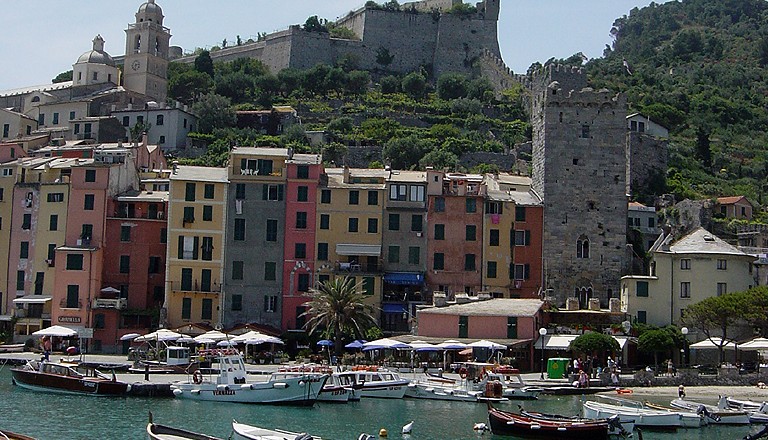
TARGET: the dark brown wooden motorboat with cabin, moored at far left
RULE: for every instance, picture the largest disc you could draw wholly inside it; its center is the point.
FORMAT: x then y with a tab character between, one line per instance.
65	378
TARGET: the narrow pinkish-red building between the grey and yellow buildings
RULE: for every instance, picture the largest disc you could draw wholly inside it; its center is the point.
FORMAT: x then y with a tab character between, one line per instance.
304	172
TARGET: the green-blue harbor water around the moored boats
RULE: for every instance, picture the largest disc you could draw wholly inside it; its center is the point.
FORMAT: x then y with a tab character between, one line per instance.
48	416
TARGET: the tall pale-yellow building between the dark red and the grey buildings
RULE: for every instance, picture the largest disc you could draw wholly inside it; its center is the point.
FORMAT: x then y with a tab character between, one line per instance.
195	259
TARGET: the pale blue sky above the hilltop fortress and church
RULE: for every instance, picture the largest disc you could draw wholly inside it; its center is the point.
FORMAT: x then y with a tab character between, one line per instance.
42	38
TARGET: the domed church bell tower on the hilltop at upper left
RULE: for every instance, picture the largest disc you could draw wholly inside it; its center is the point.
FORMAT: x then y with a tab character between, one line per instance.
146	53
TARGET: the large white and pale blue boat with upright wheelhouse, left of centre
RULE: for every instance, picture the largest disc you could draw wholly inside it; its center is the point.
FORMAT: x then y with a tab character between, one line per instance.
231	384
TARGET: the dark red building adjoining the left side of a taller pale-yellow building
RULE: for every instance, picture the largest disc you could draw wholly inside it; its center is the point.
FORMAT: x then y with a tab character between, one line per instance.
133	275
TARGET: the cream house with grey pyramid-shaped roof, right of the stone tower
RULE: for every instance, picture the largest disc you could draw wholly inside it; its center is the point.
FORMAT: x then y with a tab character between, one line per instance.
684	272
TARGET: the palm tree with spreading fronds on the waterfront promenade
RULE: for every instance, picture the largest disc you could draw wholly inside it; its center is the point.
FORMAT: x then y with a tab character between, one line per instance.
336	308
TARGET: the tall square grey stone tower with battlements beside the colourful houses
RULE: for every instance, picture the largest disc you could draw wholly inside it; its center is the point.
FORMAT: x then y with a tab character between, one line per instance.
579	169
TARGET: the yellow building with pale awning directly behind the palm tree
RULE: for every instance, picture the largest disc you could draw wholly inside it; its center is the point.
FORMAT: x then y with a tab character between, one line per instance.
349	228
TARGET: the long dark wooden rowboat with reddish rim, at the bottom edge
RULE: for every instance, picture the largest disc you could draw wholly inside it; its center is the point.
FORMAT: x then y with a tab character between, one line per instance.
509	423
